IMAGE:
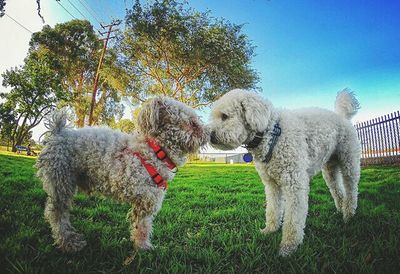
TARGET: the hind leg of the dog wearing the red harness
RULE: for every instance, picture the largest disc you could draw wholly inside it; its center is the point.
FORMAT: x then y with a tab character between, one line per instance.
60	191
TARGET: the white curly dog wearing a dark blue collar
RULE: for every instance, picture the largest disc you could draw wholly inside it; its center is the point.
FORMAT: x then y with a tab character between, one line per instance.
289	147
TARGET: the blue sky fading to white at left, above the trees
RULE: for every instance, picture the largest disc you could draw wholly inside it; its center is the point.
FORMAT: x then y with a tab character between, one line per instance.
305	50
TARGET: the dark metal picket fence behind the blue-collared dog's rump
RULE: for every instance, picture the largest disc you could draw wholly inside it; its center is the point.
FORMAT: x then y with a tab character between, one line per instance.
380	140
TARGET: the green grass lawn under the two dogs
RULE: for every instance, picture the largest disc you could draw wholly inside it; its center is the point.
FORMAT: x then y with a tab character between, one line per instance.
209	223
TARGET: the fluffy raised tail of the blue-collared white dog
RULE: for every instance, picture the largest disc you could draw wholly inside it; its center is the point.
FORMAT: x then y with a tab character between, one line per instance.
346	104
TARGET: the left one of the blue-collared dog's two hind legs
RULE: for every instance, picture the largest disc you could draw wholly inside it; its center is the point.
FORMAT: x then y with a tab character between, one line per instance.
333	179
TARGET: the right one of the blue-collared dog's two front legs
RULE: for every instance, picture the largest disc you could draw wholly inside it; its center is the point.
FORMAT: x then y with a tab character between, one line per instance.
295	194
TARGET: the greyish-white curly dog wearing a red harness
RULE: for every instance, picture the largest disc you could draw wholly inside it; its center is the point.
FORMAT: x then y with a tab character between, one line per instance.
132	168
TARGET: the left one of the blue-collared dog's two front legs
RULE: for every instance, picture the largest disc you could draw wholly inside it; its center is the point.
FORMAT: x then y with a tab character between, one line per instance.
273	213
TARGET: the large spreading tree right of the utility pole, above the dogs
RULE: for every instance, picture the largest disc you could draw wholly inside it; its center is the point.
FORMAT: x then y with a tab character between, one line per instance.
172	50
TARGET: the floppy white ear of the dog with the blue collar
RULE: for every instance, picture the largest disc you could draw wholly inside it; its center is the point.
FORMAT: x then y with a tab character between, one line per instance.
257	112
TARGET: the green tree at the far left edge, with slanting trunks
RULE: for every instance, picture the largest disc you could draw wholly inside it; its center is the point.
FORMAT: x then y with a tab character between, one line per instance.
35	90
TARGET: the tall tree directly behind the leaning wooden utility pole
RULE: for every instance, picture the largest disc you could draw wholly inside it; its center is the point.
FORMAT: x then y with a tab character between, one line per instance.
74	49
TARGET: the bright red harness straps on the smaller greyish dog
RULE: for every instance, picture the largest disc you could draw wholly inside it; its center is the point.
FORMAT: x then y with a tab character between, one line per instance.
162	156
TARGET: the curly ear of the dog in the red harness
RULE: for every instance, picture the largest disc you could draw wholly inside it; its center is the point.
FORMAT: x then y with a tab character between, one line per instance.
149	115
